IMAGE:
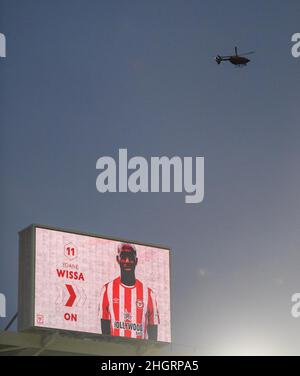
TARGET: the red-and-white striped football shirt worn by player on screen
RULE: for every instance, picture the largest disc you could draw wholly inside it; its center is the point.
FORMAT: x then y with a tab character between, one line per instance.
130	309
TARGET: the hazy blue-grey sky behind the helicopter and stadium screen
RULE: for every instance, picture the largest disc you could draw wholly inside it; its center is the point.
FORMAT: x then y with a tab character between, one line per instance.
83	79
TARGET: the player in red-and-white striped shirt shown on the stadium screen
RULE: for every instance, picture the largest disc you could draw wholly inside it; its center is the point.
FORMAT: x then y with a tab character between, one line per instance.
128	308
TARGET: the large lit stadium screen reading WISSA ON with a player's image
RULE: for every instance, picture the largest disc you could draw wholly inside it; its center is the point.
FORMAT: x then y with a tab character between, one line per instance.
92	284
